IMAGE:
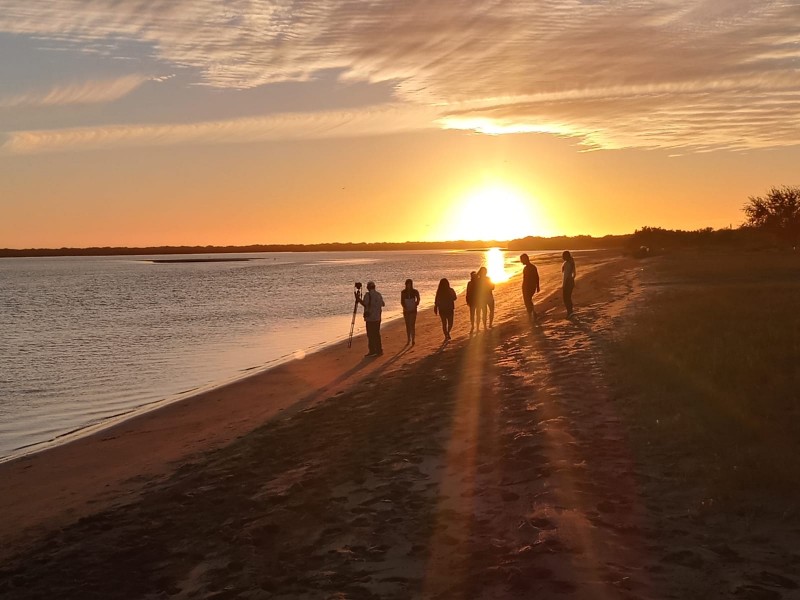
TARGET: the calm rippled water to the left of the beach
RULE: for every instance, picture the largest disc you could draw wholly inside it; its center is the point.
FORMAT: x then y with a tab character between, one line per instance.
83	340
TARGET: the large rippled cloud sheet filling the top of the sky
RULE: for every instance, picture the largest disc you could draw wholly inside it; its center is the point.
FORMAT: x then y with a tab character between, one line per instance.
697	74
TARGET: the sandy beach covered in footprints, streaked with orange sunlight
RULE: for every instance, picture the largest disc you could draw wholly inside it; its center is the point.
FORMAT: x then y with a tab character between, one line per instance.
495	466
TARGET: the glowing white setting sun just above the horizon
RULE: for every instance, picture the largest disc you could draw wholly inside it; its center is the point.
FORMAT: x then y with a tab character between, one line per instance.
495	212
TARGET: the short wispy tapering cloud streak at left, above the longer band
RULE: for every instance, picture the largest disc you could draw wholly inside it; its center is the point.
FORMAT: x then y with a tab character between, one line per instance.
86	92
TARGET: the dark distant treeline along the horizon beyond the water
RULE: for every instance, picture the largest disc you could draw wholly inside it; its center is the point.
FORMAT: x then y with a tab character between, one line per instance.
654	238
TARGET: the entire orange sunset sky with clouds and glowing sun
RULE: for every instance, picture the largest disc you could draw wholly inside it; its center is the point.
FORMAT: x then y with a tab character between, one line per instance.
200	122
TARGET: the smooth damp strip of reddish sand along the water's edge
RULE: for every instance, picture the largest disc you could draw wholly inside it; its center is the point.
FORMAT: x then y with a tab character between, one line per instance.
60	484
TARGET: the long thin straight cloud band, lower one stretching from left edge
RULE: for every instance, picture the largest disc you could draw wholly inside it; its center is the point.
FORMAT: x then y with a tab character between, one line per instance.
295	126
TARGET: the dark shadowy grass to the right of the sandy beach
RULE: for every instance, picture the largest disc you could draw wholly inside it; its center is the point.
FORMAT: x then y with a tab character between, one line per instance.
711	366
